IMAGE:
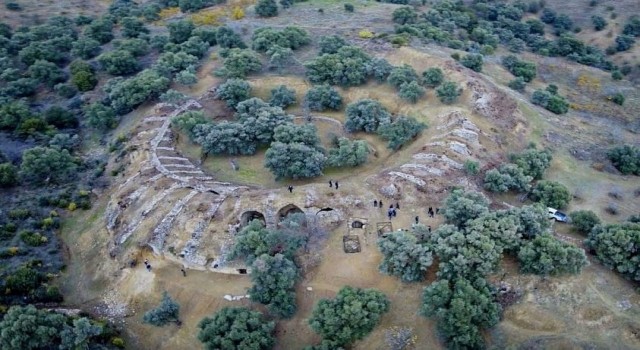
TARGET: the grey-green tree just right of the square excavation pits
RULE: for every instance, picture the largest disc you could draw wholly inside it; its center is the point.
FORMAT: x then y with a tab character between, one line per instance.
404	257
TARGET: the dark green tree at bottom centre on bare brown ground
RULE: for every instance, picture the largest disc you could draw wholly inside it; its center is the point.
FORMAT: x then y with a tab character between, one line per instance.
350	316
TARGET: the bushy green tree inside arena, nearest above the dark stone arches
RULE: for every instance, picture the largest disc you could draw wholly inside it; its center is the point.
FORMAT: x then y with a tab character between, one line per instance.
294	160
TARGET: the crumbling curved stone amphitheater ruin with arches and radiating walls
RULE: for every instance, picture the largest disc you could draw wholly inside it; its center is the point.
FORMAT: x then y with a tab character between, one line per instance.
170	205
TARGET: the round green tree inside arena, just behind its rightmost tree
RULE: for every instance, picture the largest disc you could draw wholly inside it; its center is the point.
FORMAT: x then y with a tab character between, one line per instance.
366	115
